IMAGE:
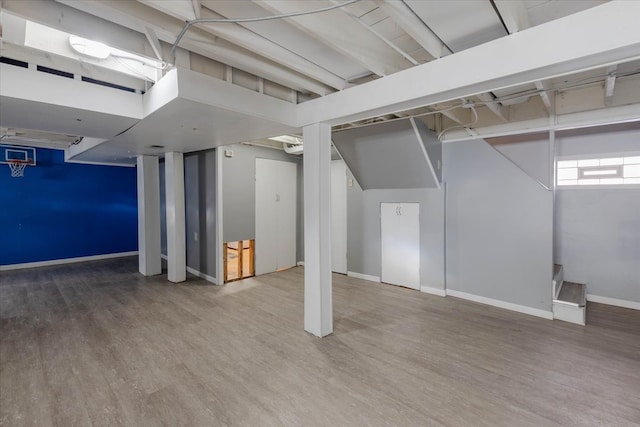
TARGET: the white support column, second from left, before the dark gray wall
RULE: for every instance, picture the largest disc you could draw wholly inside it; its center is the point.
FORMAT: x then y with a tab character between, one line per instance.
176	234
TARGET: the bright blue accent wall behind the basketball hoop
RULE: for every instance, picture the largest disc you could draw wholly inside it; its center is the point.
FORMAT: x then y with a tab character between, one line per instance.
65	210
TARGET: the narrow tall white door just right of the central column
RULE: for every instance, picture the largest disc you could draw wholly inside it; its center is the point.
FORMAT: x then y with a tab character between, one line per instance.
339	216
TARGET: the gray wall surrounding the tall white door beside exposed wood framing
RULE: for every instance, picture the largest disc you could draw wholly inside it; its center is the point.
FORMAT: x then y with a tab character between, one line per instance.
238	180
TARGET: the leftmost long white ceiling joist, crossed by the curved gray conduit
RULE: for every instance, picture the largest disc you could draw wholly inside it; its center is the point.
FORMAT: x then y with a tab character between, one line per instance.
135	16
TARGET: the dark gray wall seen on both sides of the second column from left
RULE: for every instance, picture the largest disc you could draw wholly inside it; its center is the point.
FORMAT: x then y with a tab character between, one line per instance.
200	210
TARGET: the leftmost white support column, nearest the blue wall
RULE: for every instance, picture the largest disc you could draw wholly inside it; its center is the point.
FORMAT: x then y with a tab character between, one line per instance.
149	262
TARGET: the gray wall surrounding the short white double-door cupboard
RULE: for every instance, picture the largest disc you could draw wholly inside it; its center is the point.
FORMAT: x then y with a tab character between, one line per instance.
363	230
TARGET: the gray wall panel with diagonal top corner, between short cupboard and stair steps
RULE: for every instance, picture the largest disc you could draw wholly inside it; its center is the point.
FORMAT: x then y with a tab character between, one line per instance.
499	227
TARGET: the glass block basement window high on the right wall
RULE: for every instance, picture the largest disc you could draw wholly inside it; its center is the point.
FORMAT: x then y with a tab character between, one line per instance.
621	170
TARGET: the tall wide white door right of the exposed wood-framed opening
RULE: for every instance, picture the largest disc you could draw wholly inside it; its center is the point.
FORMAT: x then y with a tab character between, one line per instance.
275	215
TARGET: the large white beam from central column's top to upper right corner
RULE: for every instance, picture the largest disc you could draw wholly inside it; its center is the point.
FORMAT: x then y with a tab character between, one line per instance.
609	34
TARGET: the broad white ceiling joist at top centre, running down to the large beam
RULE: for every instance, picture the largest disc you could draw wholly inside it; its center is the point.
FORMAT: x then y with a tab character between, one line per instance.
352	41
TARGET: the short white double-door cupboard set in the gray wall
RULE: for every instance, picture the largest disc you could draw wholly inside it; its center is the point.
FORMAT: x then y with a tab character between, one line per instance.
400	238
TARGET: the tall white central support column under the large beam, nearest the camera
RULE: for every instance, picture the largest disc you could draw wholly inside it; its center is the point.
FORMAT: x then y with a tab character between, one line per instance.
318	307
